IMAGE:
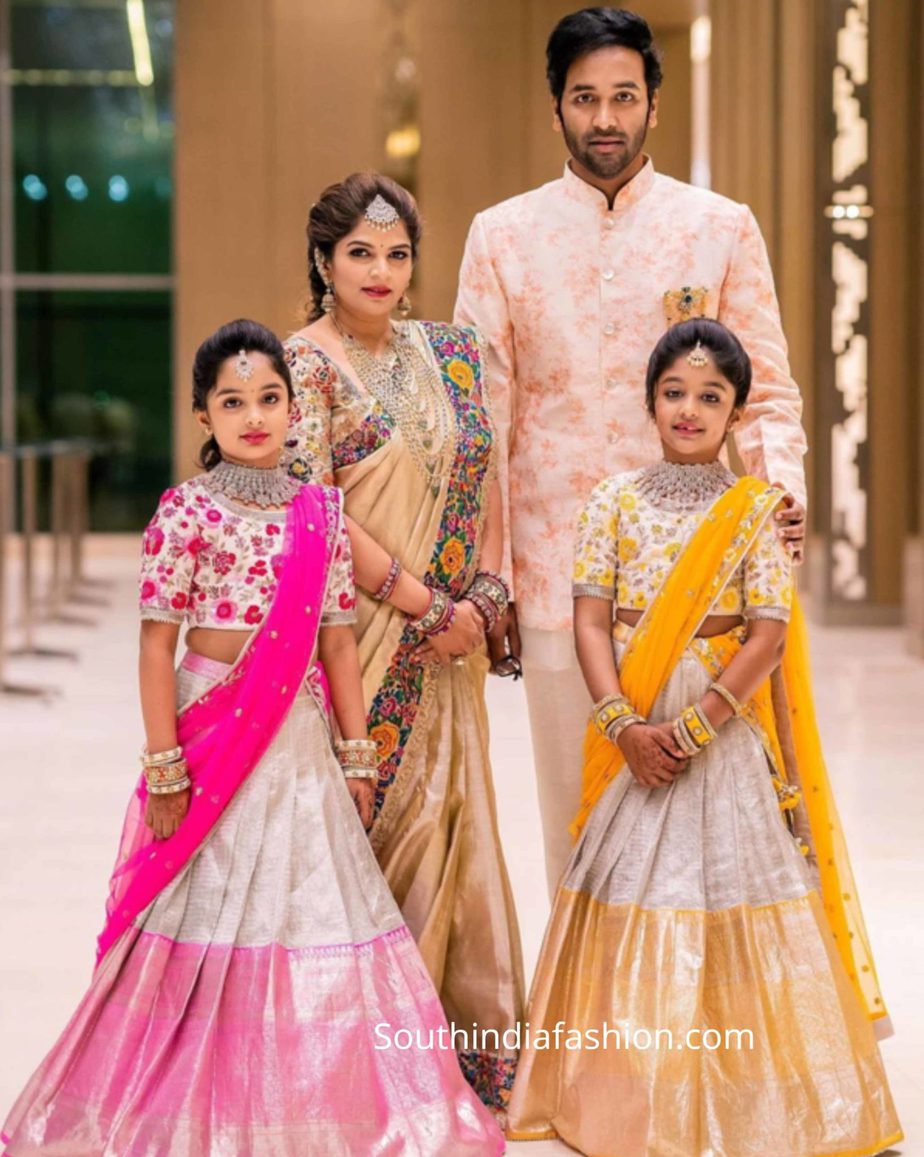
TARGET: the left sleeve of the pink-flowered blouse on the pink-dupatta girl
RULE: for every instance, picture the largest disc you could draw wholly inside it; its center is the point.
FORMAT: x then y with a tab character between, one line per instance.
168	561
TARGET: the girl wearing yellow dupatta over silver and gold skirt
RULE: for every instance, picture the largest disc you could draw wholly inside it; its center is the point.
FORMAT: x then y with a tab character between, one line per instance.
706	985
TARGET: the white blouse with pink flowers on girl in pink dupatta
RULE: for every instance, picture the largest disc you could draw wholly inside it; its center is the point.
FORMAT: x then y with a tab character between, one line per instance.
211	563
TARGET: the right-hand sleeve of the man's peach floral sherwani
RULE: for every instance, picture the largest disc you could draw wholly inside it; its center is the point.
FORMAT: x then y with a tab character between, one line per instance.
771	438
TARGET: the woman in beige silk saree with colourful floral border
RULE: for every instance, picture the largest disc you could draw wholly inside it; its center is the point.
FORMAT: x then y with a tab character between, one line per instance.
395	415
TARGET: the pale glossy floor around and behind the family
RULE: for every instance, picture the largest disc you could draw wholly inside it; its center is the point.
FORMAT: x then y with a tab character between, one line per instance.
68	764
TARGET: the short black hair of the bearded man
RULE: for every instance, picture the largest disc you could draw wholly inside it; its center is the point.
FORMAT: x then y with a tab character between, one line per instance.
600	28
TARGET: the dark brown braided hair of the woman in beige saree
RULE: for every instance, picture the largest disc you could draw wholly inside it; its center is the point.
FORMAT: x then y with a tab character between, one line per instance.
337	213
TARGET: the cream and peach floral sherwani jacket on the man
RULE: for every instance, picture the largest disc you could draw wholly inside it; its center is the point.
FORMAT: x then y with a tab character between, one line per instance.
571	299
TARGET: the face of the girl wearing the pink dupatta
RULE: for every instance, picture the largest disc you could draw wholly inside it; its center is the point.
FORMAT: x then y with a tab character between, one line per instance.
249	418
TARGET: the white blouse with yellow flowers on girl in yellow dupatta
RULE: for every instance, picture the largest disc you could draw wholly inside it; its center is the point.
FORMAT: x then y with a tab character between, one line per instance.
627	546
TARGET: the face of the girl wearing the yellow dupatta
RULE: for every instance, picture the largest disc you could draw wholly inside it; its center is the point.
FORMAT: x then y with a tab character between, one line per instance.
694	410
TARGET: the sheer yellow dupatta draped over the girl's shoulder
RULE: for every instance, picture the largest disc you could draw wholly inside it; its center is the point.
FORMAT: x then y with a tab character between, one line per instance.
668	628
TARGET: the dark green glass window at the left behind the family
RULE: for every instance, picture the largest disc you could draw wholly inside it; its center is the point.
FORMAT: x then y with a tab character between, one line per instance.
91	109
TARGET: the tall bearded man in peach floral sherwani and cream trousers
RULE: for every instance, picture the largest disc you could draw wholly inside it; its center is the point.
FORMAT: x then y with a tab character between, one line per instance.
571	286
